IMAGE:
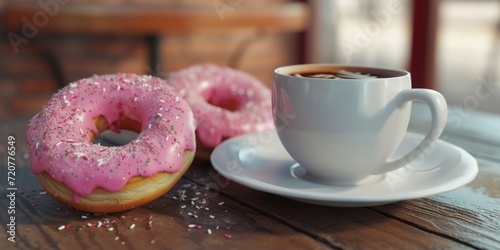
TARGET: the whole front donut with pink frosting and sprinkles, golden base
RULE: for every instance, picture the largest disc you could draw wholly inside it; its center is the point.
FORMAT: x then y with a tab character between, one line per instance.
97	178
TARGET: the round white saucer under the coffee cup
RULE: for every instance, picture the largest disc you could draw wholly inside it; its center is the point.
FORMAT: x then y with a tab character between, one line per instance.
259	161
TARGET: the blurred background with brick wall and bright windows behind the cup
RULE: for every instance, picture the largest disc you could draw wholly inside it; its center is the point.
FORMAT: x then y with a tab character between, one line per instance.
452	46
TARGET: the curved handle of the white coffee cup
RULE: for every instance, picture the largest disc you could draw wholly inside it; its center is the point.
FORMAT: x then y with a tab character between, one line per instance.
439	112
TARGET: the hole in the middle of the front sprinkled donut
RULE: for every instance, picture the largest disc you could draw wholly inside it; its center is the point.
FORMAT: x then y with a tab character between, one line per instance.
129	130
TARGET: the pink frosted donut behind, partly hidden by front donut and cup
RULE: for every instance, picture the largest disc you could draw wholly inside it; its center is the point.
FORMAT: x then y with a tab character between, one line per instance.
225	102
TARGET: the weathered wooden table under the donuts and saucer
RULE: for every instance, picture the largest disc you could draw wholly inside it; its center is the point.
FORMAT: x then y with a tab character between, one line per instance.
206	211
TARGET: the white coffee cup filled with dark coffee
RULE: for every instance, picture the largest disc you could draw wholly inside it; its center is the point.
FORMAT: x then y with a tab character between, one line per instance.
342	131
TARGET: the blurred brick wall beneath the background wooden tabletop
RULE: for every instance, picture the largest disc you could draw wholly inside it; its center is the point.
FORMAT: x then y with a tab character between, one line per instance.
27	79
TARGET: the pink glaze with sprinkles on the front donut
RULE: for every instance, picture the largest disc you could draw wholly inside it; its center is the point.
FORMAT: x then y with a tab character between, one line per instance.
59	142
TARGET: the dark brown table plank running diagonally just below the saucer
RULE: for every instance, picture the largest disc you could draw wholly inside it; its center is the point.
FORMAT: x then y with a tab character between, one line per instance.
337	227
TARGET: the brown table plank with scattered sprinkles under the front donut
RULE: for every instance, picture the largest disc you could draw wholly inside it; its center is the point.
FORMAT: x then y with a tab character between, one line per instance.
179	220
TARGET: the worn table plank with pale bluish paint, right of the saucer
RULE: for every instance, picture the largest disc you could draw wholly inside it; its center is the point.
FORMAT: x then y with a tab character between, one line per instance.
470	214
